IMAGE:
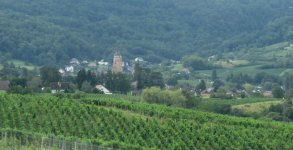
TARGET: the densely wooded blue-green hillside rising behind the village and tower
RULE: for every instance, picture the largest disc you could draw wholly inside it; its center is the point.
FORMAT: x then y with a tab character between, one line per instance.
51	32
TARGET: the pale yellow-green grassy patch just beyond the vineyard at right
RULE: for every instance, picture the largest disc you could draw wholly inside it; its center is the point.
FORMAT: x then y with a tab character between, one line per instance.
256	107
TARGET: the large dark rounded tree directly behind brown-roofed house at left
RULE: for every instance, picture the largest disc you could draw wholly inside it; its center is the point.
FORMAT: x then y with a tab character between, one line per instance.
49	74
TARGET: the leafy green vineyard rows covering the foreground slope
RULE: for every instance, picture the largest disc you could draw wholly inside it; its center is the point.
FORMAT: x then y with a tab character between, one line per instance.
165	128
